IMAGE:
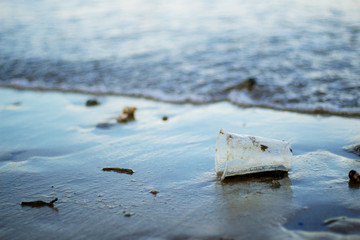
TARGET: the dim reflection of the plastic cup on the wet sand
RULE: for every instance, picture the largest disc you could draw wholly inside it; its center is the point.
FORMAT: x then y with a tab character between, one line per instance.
254	204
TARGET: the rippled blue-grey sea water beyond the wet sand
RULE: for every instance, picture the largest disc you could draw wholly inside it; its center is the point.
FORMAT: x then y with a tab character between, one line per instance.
304	55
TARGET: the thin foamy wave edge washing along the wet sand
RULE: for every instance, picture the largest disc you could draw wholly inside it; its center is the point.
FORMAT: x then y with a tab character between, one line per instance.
241	99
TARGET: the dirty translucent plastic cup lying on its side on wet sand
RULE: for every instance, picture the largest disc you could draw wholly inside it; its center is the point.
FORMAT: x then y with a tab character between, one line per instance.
237	154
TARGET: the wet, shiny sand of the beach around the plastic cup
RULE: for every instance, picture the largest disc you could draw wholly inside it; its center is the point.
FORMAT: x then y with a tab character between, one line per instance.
53	146
